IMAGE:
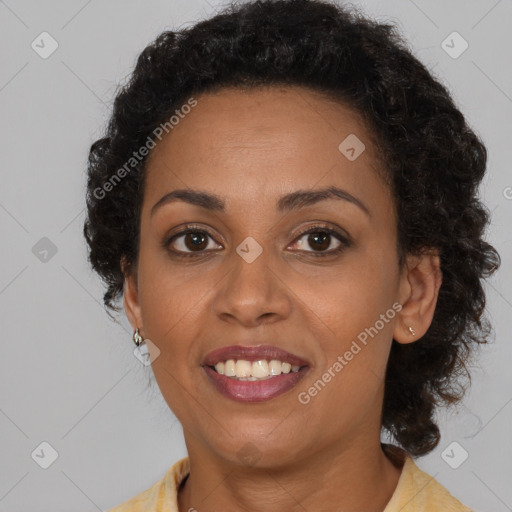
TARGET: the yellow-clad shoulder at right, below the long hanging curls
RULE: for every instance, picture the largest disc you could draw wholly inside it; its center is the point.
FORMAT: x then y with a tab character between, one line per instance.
418	491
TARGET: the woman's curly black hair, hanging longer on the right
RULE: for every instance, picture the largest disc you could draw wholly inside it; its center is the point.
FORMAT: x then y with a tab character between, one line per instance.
434	164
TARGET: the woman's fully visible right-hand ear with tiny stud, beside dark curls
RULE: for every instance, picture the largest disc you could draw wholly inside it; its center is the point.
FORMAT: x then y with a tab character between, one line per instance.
419	288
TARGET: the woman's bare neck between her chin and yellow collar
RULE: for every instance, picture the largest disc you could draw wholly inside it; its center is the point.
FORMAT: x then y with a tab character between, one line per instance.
357	477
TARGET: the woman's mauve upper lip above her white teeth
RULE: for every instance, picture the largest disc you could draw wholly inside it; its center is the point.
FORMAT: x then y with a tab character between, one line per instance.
252	353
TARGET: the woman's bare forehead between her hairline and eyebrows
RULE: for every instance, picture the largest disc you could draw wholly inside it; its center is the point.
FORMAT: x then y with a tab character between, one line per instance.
259	143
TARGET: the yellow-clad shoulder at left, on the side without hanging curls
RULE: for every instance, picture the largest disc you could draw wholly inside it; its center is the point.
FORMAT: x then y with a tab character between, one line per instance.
162	496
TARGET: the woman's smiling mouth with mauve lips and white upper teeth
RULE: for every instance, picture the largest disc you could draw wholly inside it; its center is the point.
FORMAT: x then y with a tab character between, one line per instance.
253	374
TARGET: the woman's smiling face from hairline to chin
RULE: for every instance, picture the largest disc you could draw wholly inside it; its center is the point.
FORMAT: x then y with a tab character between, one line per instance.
249	277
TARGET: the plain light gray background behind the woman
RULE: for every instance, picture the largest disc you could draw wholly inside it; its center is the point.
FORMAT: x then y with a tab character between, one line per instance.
68	375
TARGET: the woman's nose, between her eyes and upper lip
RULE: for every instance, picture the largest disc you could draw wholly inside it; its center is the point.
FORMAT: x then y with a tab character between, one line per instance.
253	293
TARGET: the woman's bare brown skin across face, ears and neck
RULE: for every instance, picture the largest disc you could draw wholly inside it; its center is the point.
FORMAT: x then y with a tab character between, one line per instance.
250	147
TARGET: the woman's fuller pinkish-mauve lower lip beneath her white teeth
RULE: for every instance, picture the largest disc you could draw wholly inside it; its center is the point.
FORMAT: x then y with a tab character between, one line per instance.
254	390
